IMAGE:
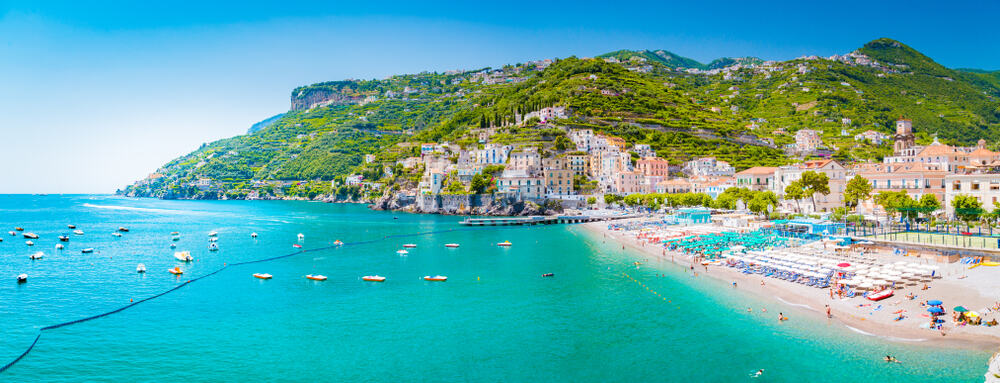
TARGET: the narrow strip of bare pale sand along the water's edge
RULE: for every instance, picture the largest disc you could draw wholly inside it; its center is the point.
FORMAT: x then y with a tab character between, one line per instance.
845	311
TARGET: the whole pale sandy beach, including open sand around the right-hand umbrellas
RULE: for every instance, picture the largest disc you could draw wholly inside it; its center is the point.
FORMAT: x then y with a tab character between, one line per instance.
975	289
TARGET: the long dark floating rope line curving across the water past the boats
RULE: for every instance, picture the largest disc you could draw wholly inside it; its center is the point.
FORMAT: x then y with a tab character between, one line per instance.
185	283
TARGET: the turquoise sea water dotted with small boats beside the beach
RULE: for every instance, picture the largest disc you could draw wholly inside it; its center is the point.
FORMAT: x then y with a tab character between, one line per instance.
495	319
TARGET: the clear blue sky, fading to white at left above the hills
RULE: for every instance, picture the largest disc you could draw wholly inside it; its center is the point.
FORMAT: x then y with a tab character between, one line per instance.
95	95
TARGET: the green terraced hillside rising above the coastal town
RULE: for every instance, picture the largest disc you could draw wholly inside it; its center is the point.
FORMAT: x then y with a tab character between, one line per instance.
740	110
